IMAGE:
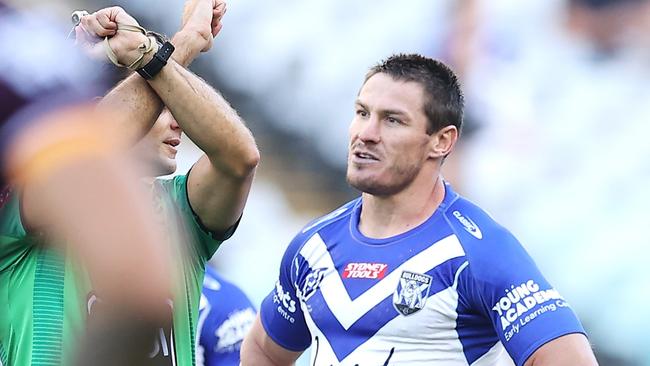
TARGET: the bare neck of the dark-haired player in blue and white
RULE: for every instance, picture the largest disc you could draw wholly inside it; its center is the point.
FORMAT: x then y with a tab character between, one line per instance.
383	217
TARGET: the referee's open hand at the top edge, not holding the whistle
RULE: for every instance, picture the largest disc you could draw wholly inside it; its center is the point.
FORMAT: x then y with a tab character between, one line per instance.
201	22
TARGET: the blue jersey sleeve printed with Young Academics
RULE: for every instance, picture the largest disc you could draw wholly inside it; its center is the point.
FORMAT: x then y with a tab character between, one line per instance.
525	310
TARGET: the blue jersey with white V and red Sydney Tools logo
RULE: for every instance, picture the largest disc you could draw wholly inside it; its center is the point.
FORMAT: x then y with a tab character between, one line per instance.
455	290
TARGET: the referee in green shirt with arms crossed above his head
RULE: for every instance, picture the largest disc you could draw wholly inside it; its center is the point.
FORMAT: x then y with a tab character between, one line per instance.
49	295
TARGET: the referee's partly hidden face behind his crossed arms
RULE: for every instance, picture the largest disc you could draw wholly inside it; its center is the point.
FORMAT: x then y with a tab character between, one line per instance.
157	149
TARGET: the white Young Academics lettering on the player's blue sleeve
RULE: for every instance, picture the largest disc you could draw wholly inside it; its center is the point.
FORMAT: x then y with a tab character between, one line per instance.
524	303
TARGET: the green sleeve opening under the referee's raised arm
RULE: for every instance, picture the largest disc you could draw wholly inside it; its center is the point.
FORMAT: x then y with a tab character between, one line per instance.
205	241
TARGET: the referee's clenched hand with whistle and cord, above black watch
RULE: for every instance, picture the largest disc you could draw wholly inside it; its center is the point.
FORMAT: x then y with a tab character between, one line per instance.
128	43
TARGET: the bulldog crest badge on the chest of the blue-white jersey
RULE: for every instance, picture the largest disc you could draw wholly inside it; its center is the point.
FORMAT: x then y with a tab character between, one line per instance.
411	293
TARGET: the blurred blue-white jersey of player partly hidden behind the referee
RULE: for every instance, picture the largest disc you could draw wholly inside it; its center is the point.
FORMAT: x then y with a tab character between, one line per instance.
225	317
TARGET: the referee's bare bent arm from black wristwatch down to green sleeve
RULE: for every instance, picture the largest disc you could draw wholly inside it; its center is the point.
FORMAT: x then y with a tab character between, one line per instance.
219	182
